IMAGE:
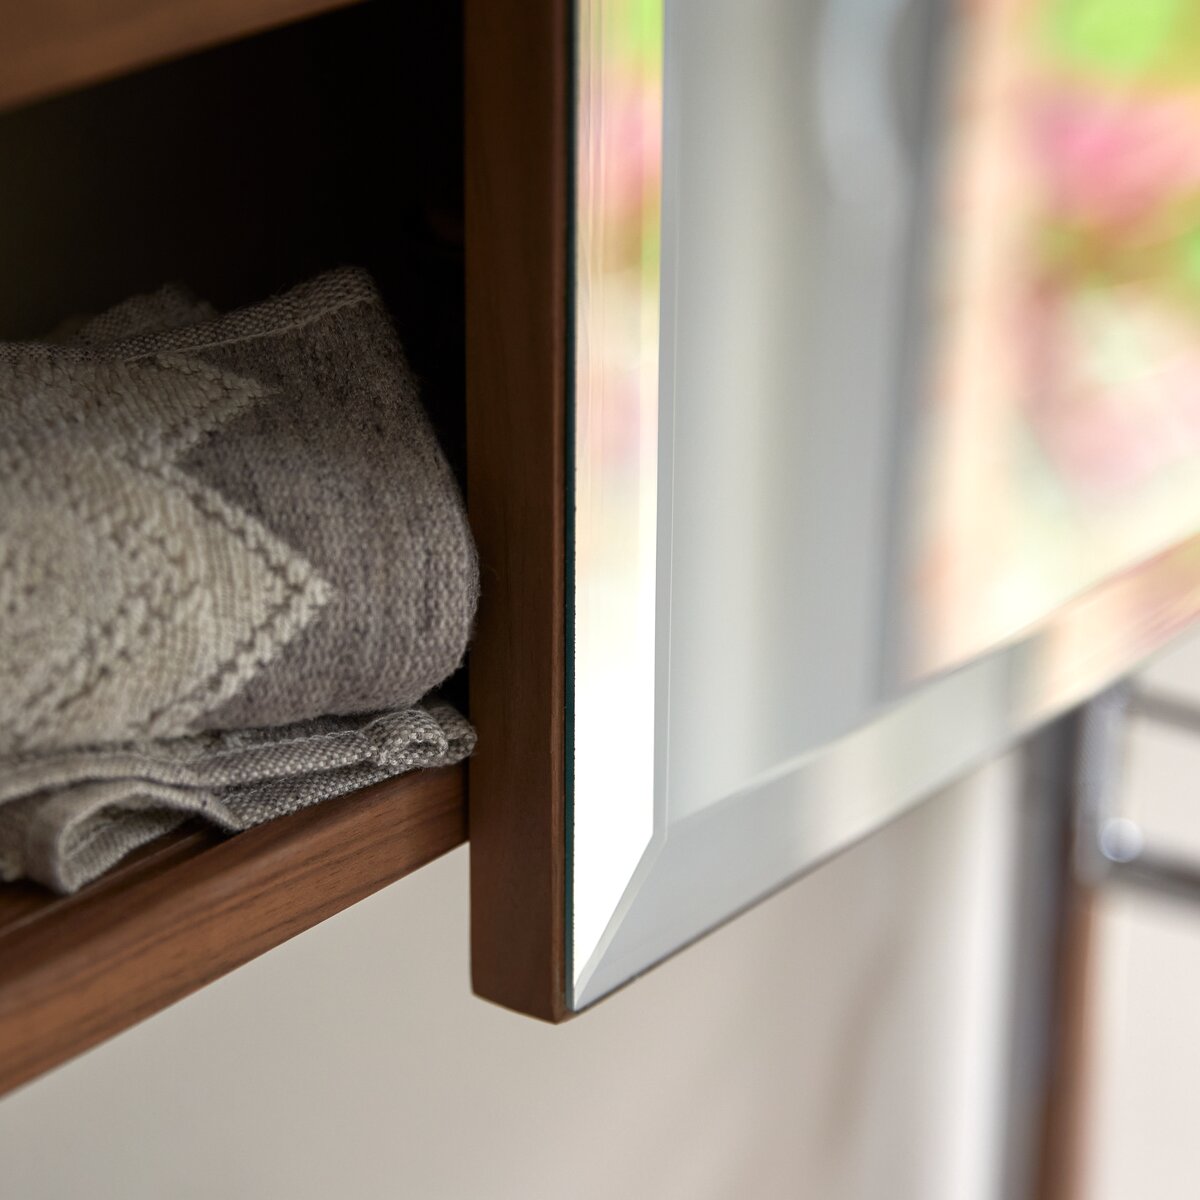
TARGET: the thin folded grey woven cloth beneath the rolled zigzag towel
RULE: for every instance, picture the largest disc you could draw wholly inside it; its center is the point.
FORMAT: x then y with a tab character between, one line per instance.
68	817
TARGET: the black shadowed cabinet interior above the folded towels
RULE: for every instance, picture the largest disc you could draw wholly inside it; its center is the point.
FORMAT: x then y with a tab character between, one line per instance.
253	167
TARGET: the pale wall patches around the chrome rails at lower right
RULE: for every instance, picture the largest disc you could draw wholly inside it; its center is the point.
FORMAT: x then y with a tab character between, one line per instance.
1144	1065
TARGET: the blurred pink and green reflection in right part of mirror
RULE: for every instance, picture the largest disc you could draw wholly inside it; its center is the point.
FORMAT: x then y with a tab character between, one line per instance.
1060	434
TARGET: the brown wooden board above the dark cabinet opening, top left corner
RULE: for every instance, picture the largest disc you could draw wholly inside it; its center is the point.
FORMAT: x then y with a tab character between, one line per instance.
56	45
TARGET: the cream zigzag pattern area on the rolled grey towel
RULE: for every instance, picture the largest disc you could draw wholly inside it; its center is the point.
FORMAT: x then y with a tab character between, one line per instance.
135	598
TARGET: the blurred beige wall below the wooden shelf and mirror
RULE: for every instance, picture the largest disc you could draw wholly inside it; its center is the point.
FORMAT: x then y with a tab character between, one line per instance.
844	1042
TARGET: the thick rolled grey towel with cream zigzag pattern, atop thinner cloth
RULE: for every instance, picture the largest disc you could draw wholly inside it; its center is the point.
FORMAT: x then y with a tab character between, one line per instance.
237	524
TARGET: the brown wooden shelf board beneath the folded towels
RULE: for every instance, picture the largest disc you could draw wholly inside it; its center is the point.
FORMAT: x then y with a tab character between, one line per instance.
191	908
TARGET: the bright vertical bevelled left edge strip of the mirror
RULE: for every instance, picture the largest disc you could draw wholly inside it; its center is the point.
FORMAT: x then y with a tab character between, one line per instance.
614	508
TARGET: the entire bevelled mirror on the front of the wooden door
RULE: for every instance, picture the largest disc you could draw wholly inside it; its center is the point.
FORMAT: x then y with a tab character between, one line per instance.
885	419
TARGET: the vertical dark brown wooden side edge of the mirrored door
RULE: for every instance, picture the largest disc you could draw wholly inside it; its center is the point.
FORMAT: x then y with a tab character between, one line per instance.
517	229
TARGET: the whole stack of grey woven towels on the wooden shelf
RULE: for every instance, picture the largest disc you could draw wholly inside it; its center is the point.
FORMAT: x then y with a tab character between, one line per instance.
212	525
